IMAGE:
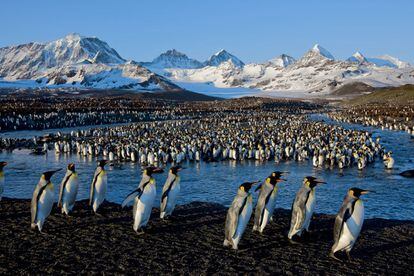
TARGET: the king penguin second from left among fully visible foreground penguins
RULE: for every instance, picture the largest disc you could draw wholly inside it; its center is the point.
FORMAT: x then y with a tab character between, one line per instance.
68	190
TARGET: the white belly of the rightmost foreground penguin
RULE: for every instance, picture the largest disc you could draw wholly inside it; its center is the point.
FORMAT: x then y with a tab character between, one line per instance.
351	228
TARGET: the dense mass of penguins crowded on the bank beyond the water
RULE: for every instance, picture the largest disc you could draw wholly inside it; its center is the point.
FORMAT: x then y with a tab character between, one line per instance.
263	136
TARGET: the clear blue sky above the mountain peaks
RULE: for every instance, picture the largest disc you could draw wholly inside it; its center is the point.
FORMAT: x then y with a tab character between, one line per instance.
252	30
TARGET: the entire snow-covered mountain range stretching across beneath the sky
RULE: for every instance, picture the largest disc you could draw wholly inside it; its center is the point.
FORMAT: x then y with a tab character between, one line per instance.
87	62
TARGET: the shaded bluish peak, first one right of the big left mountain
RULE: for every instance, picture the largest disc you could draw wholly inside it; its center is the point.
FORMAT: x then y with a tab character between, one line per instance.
174	59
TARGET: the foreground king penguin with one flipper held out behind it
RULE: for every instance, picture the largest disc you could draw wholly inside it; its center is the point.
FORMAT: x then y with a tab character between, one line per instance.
144	197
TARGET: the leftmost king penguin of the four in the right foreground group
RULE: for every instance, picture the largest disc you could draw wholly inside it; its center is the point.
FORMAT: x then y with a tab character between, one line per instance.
238	215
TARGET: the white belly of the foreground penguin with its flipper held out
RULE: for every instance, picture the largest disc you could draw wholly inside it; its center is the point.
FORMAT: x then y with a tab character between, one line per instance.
144	206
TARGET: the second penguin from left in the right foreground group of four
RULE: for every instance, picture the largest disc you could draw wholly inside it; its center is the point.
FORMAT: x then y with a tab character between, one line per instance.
266	201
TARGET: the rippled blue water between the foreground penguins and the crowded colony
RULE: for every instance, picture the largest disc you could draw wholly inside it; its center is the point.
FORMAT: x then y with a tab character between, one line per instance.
218	182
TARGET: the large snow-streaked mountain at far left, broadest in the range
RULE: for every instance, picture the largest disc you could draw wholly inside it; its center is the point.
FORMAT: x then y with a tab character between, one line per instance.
77	62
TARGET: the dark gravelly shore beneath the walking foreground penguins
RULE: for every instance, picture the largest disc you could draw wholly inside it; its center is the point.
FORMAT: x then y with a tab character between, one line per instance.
191	242
